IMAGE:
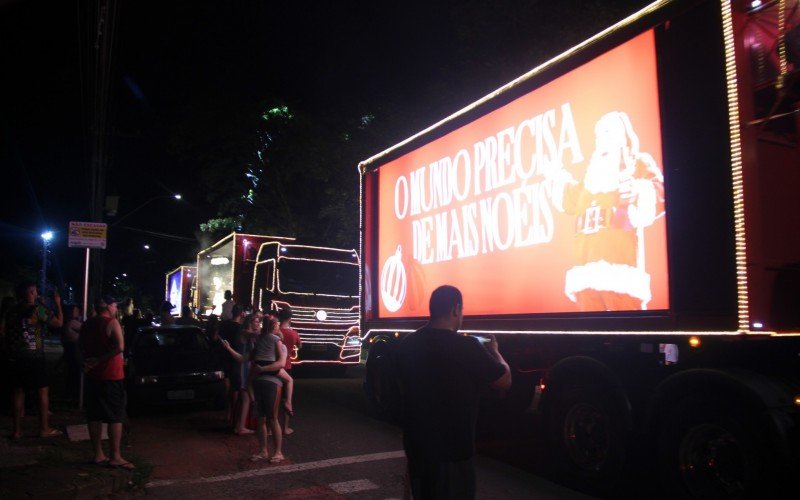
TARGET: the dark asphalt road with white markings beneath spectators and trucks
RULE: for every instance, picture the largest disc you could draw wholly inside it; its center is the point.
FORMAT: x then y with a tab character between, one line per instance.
337	451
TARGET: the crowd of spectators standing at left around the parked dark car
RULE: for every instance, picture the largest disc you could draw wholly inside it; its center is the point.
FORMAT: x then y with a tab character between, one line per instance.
255	348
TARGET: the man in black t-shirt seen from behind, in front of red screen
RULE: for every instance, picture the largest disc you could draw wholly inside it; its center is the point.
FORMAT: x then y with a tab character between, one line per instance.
442	374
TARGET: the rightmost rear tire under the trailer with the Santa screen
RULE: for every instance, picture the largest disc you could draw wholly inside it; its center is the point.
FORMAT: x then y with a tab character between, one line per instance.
712	451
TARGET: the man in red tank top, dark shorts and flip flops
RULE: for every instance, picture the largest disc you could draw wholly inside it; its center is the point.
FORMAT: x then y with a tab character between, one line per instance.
102	344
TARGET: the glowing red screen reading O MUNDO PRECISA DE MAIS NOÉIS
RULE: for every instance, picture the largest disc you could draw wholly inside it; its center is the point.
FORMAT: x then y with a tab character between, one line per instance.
552	203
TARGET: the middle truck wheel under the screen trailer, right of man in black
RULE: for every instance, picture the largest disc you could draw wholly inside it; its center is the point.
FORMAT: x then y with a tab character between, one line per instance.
587	438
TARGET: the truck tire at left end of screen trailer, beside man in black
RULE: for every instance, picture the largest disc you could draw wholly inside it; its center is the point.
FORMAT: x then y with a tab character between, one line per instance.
380	384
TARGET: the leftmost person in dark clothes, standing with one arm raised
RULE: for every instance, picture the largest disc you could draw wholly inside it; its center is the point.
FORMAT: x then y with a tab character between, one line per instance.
23	332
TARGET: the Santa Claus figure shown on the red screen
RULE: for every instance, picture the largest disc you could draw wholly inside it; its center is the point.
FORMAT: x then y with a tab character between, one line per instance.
621	193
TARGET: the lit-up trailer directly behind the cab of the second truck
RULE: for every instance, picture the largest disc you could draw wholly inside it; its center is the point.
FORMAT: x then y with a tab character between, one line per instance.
228	265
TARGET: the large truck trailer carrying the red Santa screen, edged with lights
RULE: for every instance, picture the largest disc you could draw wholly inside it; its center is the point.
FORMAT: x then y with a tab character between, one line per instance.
623	218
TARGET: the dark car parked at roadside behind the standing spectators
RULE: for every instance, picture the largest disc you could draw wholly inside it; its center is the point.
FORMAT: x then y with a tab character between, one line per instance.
173	364
